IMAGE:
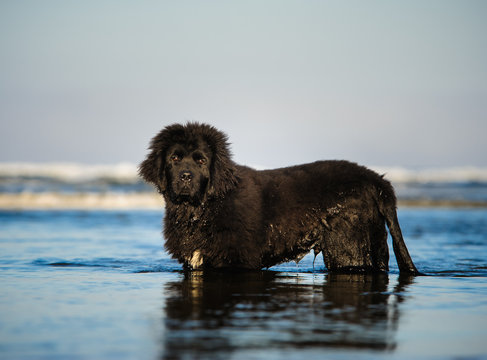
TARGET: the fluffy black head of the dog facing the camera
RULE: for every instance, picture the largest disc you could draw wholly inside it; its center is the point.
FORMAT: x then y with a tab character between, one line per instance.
189	163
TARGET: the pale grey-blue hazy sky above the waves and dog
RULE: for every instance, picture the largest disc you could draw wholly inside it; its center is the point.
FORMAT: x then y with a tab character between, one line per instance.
382	83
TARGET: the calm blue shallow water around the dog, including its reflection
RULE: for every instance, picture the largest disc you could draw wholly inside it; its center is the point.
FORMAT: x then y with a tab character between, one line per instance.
98	285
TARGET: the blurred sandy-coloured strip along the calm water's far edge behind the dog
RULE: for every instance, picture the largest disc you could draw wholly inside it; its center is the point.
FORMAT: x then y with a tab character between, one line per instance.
153	201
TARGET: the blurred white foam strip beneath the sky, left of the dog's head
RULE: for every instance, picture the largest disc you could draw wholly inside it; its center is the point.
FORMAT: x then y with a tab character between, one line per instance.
71	172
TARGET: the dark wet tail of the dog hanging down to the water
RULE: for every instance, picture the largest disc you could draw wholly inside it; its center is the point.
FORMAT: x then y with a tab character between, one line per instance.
404	261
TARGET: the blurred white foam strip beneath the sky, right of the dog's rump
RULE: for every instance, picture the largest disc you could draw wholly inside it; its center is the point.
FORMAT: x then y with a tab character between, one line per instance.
465	174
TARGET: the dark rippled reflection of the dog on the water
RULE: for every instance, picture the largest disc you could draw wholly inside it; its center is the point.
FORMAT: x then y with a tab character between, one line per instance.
212	315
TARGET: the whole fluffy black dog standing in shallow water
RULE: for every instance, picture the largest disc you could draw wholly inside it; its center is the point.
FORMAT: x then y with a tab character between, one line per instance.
223	215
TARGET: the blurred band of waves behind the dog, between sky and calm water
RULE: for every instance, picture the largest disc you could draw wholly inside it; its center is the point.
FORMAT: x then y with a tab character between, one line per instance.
81	186
